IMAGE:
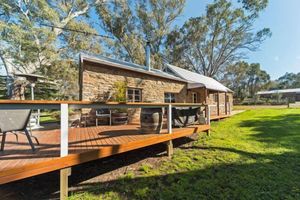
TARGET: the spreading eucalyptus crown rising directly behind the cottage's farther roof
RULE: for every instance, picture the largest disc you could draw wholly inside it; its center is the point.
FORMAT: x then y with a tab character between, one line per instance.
223	35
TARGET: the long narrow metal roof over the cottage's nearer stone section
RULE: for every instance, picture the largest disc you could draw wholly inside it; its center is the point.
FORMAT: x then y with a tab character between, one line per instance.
128	66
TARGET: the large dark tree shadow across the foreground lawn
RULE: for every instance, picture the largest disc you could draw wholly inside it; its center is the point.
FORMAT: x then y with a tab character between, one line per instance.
274	179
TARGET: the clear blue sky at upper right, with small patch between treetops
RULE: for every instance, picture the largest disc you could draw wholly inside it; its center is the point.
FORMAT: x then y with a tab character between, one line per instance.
278	54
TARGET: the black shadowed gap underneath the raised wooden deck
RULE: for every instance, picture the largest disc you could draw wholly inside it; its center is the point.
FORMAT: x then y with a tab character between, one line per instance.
46	186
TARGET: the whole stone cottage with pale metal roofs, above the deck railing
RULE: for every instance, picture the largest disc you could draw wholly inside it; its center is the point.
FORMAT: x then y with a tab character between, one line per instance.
99	75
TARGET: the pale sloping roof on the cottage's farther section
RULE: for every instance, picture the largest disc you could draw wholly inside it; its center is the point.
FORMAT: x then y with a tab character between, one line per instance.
197	80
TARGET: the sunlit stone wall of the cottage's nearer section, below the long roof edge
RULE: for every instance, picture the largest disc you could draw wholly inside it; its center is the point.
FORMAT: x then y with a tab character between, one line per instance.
98	83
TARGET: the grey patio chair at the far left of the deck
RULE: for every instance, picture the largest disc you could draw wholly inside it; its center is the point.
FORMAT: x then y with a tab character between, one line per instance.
12	121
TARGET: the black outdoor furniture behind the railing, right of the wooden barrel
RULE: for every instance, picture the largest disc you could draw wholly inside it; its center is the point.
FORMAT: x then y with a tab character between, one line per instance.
182	117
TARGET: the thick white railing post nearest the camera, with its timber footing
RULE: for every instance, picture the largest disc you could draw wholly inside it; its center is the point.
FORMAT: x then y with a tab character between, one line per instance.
64	173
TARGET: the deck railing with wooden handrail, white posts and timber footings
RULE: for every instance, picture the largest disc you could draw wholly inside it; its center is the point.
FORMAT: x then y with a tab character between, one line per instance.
64	106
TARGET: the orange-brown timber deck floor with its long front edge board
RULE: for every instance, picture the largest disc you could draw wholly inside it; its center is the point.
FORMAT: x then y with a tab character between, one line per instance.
85	144
